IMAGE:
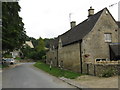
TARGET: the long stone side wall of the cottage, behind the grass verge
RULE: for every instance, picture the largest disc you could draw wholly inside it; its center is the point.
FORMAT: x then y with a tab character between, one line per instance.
70	56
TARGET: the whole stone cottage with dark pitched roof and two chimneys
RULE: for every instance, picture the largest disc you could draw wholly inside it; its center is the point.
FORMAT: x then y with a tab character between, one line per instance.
94	39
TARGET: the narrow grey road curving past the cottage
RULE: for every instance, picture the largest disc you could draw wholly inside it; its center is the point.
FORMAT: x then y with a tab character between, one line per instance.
27	76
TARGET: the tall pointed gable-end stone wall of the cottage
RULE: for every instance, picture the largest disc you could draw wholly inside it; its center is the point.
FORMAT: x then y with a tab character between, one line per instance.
94	45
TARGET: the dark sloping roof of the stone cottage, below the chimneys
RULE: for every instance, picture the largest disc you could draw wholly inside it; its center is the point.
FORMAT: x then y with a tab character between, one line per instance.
78	32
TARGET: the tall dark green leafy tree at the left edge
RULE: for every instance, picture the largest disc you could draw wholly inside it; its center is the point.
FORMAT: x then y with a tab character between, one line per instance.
13	32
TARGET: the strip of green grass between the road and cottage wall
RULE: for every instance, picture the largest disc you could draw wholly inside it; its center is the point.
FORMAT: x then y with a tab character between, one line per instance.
56	71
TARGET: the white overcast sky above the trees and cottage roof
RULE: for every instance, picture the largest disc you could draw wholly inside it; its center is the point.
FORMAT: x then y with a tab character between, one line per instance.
50	18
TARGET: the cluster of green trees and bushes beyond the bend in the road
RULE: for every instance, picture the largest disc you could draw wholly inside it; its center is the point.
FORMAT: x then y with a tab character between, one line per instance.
39	51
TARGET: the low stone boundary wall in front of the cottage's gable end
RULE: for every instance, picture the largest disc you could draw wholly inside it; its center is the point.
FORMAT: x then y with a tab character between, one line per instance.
100	69
